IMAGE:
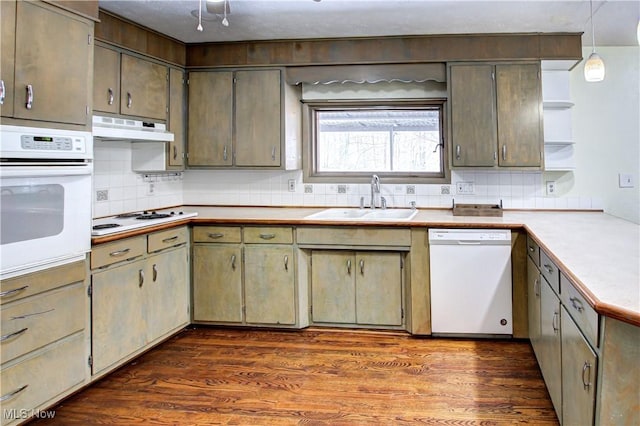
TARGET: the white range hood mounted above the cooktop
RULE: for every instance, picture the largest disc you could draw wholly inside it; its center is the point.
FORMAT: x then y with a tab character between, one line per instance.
126	129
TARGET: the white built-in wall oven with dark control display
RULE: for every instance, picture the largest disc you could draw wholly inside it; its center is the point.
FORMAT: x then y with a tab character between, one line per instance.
45	205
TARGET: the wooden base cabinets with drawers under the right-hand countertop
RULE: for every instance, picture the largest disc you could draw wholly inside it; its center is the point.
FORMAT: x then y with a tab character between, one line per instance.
564	333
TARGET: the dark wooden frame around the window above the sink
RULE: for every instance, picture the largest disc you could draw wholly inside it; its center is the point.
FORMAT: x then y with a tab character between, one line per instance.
309	153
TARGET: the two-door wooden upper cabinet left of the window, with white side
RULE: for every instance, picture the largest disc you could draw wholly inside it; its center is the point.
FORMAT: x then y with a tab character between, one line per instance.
246	118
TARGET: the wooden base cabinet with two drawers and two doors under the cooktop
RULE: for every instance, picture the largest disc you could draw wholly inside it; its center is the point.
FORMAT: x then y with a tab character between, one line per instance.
140	299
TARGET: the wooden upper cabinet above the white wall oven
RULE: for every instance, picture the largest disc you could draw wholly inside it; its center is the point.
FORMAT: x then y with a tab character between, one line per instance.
48	75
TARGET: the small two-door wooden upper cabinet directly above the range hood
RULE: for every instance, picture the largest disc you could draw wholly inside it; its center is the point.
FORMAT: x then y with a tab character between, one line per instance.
129	85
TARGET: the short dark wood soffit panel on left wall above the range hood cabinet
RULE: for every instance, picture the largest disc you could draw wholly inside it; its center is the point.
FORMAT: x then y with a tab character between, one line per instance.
120	32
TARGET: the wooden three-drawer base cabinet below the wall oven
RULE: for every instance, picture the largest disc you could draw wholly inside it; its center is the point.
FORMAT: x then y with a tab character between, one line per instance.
43	344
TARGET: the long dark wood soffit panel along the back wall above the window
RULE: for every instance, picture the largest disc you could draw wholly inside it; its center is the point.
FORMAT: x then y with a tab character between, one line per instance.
387	50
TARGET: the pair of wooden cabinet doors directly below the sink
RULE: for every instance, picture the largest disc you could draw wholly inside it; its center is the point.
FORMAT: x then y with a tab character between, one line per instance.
363	288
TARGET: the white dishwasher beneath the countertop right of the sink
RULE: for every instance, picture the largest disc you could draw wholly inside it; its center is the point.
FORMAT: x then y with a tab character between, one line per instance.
470	281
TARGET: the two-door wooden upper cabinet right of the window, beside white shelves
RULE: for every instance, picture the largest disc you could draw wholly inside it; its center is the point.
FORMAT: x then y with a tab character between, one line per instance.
495	115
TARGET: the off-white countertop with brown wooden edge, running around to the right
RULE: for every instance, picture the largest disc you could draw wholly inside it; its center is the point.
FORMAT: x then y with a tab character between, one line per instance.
599	253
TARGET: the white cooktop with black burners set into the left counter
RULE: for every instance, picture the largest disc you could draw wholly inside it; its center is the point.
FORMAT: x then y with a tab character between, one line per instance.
131	221
